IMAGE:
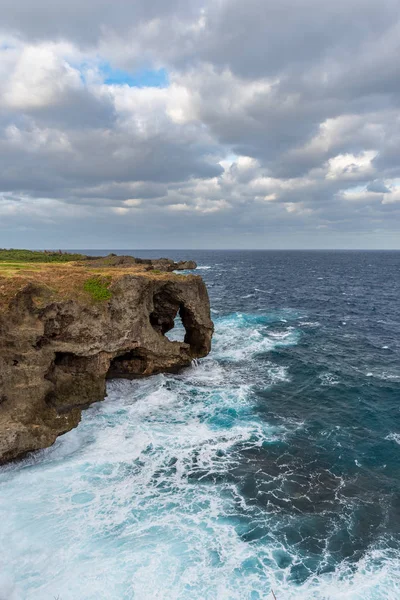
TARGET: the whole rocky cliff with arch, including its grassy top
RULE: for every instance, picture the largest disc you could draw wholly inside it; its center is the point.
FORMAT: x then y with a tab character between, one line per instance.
67	327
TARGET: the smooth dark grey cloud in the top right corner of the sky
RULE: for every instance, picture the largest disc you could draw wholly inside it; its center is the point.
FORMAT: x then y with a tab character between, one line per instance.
264	37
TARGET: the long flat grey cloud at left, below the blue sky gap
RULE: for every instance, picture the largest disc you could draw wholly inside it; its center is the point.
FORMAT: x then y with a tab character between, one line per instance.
96	157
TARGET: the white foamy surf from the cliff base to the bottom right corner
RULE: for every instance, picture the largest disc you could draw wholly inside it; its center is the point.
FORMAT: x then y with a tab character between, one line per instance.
136	502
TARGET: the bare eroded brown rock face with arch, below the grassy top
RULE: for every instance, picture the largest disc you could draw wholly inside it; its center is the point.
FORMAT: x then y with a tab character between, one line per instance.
55	359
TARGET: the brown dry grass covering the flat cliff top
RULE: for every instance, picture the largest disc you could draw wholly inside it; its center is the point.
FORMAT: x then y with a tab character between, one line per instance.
61	281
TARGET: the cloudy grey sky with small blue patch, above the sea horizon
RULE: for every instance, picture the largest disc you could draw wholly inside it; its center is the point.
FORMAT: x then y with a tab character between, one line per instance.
200	124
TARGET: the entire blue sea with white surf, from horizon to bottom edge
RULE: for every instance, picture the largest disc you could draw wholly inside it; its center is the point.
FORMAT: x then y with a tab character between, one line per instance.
272	463
